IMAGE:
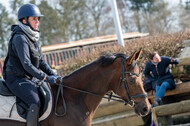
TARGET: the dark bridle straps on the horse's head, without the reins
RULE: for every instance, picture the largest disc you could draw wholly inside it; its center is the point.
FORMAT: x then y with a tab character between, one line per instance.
123	79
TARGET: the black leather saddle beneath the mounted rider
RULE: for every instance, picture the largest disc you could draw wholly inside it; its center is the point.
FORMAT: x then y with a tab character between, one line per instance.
22	108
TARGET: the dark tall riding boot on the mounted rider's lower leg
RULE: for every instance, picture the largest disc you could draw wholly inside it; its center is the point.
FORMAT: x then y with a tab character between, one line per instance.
33	115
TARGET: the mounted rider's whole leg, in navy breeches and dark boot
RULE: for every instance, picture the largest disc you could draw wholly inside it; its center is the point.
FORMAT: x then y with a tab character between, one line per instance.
27	91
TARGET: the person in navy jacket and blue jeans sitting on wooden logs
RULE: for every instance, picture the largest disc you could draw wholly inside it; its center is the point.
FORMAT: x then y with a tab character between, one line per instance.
157	70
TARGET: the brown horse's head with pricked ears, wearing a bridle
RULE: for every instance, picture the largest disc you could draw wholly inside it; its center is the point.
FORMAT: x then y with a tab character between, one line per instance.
130	86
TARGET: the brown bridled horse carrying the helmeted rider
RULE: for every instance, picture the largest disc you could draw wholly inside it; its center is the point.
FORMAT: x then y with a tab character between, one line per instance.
84	89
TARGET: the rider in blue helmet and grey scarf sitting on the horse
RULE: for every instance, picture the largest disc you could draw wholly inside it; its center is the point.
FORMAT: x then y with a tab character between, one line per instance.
25	62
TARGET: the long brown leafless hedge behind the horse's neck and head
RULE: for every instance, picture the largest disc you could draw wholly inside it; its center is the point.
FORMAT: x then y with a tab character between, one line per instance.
167	44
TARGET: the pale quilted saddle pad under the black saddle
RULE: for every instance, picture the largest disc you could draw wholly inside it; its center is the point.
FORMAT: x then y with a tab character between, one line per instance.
8	102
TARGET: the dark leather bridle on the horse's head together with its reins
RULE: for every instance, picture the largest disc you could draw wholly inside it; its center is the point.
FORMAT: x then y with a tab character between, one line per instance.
110	95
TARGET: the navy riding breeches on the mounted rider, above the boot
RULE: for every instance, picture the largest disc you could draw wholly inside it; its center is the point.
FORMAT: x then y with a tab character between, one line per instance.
23	88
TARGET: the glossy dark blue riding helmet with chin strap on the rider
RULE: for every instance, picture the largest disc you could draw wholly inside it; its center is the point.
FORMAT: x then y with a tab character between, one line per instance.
28	10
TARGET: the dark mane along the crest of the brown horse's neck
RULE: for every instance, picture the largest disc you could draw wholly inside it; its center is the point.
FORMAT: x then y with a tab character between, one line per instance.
105	59
